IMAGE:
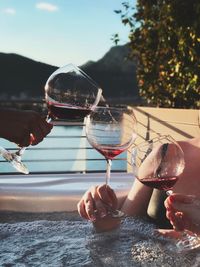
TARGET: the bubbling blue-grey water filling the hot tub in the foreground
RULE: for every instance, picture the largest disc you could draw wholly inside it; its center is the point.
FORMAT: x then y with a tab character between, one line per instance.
64	239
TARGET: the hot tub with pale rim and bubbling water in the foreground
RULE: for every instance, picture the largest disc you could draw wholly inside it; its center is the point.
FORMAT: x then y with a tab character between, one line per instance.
39	226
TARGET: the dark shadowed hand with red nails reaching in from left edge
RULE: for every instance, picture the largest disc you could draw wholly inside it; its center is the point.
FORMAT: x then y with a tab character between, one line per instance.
23	127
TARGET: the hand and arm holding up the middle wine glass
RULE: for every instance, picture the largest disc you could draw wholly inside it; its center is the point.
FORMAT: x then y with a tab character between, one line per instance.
93	205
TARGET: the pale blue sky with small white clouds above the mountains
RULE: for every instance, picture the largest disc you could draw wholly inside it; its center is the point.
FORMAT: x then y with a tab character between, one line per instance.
58	32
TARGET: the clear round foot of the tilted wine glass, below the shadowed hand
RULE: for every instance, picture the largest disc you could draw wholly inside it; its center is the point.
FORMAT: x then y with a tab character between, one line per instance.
15	160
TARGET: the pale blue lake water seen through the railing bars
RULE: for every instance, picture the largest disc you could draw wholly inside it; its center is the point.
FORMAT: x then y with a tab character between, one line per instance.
65	149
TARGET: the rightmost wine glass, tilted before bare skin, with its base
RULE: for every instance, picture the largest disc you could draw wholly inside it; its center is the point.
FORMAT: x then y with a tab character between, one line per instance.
158	163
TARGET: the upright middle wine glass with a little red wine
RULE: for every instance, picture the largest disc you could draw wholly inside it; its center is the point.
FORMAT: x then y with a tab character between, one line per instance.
111	131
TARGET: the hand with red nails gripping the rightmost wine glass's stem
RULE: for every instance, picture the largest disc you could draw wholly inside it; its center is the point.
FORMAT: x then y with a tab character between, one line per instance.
183	211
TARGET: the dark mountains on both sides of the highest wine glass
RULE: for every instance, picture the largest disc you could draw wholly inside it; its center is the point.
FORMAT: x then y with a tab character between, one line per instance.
24	78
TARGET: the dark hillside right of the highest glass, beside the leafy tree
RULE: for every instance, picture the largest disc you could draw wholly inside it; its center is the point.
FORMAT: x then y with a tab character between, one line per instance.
115	73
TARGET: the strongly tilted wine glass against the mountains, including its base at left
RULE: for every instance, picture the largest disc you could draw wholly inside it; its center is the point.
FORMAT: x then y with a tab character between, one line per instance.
70	95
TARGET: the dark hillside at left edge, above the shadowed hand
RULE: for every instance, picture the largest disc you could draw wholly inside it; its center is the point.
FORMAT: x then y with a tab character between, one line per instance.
22	77
